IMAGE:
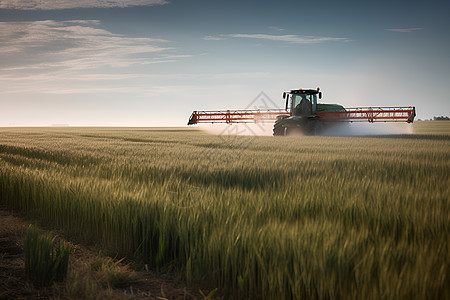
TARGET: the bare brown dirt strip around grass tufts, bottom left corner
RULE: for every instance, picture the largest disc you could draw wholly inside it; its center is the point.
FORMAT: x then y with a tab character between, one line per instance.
15	285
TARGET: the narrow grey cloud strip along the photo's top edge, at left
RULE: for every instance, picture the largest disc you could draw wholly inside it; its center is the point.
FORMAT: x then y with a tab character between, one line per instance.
70	4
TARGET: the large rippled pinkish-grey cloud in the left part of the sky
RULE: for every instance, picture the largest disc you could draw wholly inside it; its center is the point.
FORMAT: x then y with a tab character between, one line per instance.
73	45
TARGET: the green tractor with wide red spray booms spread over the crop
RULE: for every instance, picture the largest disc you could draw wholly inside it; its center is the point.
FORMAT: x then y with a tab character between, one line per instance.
303	114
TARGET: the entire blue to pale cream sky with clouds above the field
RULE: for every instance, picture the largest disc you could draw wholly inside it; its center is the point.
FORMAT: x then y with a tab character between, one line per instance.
153	62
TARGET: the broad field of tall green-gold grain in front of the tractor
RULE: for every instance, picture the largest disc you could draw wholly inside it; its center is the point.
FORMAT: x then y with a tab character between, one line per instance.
312	217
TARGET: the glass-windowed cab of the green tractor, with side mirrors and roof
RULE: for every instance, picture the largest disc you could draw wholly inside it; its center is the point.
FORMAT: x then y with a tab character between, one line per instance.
302	102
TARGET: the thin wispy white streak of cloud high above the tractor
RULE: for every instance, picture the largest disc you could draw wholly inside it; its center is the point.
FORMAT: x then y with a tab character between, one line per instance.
289	38
